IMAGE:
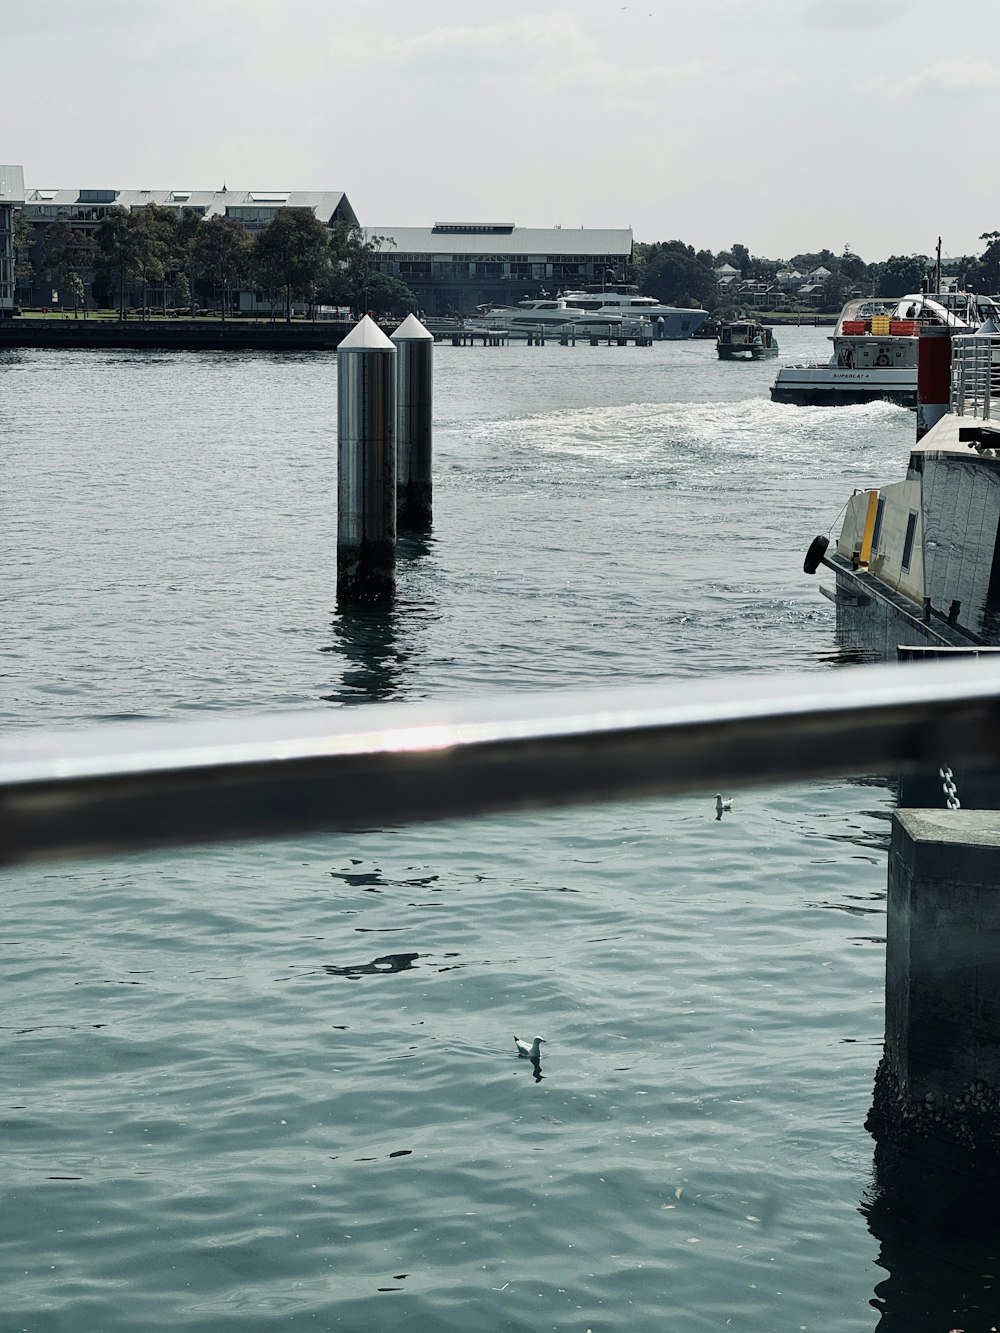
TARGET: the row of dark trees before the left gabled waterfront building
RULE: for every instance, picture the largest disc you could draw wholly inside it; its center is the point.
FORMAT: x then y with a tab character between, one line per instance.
294	259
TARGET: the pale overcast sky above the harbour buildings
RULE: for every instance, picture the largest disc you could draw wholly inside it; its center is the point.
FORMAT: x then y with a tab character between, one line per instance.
783	125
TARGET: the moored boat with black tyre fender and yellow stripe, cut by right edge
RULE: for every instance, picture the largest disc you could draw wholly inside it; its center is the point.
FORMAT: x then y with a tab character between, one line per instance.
918	561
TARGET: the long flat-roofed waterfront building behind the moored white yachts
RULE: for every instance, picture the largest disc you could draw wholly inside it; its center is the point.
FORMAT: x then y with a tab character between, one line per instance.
455	267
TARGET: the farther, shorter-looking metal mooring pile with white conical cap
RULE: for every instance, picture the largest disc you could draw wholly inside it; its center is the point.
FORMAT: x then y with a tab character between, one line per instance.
415	349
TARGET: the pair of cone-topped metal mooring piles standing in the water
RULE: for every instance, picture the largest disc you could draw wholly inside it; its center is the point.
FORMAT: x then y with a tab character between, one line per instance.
385	434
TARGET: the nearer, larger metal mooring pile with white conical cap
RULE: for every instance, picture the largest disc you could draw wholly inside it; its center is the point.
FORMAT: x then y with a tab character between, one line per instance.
366	466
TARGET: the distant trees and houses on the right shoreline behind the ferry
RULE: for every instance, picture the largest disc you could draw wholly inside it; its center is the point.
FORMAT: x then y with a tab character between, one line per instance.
678	274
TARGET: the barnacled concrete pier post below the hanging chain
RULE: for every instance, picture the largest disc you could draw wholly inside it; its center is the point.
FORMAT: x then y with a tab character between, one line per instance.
937	1107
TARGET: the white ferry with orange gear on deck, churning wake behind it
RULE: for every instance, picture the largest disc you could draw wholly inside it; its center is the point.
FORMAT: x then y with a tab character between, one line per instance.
875	350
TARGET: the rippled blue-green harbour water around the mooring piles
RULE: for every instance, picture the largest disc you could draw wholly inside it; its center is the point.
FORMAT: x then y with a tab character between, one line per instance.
275	1084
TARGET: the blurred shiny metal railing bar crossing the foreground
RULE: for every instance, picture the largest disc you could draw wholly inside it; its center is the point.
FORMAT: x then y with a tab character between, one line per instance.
169	784
